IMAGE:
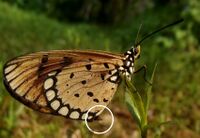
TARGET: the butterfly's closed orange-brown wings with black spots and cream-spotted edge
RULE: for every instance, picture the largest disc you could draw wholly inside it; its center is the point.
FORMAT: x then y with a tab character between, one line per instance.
63	82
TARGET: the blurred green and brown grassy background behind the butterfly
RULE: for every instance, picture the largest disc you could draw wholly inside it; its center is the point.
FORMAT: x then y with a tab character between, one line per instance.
28	26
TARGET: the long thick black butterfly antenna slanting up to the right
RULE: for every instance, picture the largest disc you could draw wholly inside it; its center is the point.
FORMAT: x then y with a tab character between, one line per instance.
160	29
